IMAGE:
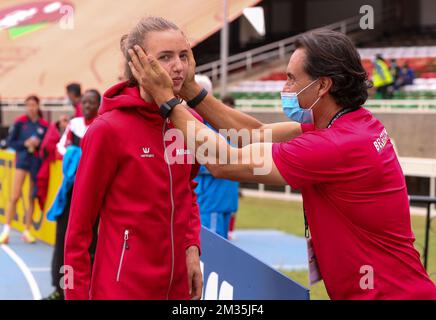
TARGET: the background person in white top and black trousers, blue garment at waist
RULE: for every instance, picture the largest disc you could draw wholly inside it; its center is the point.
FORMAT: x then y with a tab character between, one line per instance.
69	147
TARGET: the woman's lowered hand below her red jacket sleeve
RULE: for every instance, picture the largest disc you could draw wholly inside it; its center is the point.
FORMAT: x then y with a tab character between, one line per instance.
195	277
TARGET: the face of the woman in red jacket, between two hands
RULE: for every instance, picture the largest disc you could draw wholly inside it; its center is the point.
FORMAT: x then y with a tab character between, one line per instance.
170	48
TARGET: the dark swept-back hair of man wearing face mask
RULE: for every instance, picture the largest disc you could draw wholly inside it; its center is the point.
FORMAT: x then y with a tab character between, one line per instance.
332	54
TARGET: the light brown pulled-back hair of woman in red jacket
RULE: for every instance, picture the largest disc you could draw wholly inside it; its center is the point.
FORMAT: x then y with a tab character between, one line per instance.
137	36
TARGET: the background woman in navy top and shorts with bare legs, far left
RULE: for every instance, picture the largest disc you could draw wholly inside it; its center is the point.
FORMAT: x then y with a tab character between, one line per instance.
25	138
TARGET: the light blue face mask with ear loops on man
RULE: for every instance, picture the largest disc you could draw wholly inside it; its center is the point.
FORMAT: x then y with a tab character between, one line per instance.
292	108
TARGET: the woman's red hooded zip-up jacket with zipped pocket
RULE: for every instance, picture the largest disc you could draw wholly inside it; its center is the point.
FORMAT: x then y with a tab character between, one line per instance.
147	207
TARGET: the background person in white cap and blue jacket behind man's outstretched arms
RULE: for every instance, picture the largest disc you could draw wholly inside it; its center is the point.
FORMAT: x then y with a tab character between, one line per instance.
217	198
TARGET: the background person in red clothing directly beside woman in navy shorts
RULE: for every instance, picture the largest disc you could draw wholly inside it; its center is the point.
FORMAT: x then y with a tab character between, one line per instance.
48	154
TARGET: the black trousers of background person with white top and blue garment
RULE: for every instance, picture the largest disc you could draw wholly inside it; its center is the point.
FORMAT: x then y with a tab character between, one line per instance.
58	253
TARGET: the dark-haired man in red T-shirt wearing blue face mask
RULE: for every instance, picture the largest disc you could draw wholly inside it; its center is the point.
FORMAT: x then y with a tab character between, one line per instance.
353	188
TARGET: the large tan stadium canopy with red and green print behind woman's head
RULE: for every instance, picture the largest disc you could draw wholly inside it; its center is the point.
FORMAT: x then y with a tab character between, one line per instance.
46	44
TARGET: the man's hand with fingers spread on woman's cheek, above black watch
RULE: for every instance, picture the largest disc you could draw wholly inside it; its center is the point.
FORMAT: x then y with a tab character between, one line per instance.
150	75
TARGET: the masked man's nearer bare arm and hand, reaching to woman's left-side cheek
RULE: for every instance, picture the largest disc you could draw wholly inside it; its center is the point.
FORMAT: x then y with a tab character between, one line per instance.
252	163
